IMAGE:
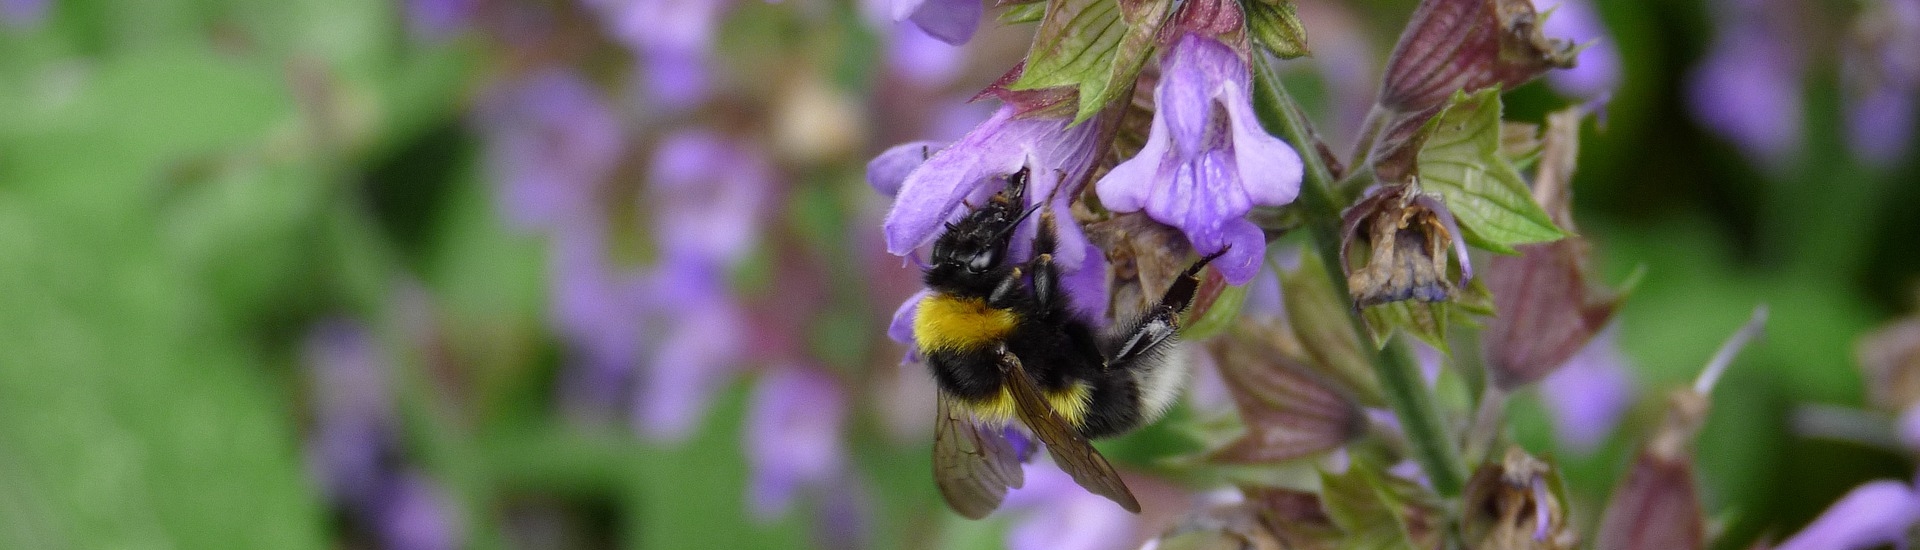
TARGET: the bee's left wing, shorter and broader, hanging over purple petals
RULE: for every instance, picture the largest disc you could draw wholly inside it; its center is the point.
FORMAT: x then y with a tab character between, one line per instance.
971	464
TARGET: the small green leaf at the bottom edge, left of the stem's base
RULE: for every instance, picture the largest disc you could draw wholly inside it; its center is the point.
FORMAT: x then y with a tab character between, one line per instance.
1378	511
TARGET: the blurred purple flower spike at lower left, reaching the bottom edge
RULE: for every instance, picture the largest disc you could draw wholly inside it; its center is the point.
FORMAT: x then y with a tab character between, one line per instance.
354	453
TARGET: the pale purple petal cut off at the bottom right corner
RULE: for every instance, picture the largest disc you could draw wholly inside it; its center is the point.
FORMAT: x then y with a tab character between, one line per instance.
1869	516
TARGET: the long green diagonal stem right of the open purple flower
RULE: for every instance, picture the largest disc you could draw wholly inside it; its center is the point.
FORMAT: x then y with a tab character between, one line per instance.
1401	378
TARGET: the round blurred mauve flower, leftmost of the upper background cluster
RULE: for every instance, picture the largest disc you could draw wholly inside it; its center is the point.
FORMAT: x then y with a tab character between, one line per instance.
550	147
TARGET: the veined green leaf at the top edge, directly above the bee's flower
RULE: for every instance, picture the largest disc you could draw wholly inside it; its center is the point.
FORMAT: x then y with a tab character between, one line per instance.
1095	47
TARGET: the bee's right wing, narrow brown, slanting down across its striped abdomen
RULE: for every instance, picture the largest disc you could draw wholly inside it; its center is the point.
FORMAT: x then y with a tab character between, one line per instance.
1068	447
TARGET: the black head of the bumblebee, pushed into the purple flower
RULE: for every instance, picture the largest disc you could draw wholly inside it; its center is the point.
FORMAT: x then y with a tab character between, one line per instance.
978	243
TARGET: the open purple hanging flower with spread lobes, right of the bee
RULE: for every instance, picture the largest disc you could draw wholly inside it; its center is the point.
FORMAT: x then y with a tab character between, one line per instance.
1207	161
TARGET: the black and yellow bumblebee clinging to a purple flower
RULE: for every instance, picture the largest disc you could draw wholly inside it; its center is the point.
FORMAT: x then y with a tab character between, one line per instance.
1005	345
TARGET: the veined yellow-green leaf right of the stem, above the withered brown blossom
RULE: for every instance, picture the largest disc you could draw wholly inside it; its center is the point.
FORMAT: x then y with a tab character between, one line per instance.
1462	162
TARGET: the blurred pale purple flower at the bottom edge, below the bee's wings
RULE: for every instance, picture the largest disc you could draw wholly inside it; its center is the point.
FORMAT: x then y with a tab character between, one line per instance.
1057	514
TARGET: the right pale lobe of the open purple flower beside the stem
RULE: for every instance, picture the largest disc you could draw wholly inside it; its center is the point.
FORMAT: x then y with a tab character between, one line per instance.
1270	170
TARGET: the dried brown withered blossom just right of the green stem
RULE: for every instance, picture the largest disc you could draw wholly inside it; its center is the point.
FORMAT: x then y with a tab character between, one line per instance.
1408	236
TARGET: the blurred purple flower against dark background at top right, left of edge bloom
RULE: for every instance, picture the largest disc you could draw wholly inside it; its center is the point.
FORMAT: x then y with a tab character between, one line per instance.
1750	86
